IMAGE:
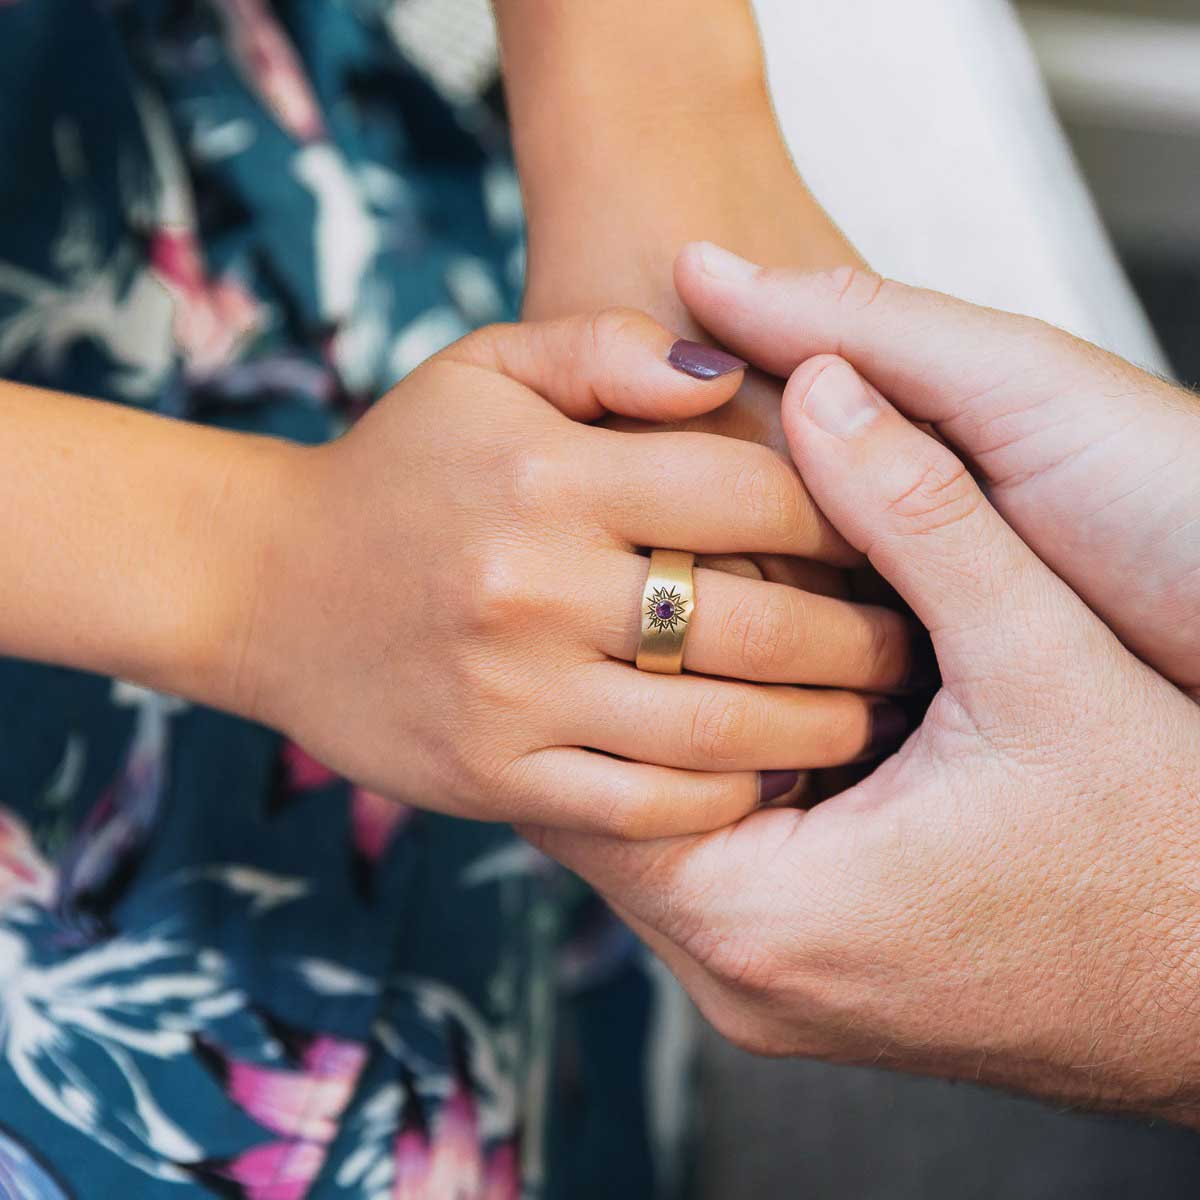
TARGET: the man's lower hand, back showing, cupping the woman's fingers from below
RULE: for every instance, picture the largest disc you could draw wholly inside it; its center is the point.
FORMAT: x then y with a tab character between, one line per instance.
1012	897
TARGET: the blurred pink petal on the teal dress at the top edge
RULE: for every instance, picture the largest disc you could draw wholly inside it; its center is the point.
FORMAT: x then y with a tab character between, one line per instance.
271	68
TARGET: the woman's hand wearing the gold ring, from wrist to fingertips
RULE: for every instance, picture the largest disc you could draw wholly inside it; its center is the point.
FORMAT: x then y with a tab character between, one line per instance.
451	604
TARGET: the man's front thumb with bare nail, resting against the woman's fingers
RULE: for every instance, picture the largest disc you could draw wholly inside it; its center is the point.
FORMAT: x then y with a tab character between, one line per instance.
913	508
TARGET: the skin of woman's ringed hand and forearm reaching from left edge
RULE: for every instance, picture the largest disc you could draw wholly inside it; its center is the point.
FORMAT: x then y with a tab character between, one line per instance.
443	604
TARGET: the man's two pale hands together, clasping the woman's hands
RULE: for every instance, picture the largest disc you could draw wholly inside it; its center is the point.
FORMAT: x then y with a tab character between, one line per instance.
1011	898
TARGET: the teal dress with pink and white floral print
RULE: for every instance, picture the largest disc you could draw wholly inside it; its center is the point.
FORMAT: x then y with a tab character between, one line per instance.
225	971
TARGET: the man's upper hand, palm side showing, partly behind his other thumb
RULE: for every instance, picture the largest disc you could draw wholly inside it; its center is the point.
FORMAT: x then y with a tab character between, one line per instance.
1089	459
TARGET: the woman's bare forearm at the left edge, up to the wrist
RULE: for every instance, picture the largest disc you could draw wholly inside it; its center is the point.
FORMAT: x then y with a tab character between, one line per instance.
129	543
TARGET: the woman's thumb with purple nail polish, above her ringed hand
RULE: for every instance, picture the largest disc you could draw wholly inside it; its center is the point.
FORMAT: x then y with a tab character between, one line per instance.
617	361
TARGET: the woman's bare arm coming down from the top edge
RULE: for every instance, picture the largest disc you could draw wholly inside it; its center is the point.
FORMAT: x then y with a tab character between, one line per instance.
640	128
